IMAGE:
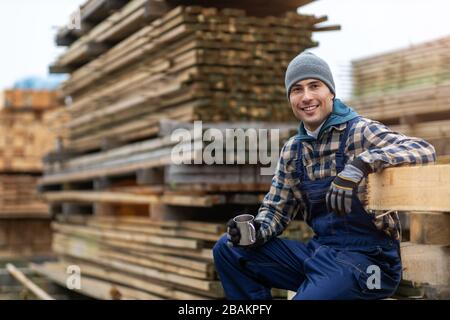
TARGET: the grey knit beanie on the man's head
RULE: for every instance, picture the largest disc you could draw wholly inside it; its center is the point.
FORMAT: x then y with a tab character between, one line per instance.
308	66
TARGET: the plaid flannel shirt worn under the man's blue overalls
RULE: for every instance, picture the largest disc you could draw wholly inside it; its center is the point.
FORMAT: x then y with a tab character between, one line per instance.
371	141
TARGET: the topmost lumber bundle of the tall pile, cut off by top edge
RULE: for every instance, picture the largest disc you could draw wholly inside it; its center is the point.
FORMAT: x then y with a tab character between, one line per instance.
120	17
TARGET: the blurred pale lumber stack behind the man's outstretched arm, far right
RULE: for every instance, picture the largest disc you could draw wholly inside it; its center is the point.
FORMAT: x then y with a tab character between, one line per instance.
408	89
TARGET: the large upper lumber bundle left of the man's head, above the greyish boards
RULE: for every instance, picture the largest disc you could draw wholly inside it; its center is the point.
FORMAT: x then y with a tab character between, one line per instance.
193	63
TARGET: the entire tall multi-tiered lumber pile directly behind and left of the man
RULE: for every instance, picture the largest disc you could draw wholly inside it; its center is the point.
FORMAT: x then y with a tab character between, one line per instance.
137	224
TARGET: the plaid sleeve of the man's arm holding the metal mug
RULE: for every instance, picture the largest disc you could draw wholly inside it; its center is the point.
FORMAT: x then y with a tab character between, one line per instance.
280	205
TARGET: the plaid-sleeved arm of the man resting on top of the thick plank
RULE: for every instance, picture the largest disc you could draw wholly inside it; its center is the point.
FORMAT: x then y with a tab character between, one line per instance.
386	148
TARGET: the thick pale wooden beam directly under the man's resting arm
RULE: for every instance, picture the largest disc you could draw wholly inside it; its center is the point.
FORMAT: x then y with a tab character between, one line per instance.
418	188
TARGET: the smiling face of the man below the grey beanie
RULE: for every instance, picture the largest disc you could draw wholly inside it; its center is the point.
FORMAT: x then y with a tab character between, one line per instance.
311	101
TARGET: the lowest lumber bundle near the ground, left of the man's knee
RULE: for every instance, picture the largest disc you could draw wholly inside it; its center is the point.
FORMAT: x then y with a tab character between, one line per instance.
137	258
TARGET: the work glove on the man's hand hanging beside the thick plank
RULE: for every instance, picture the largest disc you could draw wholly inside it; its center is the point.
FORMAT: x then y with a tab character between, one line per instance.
340	195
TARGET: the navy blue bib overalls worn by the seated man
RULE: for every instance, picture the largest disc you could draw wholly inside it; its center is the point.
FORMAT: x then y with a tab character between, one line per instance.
348	258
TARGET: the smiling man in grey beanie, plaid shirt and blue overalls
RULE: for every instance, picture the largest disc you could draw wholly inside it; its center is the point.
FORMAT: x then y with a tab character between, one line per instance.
321	176
